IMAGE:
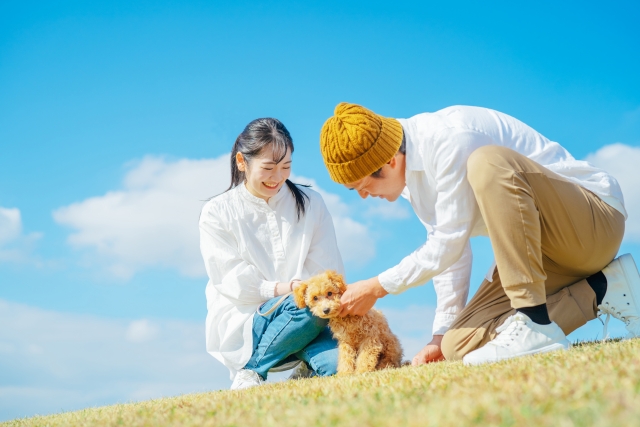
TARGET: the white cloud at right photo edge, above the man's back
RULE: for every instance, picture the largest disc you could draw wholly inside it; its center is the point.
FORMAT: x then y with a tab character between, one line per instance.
622	162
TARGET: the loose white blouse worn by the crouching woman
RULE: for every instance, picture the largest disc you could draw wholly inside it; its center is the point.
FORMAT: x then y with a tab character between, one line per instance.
249	245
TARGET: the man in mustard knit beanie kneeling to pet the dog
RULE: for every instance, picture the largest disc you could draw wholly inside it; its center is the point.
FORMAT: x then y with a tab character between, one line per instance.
555	225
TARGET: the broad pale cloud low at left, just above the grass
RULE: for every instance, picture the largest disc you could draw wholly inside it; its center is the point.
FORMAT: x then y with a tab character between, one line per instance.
51	361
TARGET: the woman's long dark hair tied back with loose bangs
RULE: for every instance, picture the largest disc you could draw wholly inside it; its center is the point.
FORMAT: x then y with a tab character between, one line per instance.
257	135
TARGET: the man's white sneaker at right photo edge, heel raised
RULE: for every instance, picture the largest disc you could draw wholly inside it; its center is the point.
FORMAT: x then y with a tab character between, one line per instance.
622	299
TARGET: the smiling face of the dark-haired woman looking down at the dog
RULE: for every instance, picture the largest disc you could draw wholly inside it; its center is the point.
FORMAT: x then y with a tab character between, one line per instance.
265	177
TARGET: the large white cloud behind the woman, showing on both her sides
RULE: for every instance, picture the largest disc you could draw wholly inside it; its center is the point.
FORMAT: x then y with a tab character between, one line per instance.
153	220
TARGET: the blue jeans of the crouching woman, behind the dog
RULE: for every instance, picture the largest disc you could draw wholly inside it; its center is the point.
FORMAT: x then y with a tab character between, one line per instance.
288	334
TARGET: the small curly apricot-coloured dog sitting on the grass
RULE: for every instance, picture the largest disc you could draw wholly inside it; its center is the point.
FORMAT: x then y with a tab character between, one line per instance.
365	343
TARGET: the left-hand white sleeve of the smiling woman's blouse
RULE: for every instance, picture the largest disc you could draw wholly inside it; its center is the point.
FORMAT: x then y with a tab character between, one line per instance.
229	273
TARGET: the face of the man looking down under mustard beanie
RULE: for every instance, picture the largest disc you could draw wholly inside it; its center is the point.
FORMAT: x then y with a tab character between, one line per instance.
388	185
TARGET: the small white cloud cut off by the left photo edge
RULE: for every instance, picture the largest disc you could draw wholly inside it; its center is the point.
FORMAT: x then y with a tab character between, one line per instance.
14	245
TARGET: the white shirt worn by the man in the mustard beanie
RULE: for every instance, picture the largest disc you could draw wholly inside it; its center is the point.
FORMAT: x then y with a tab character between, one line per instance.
438	146
